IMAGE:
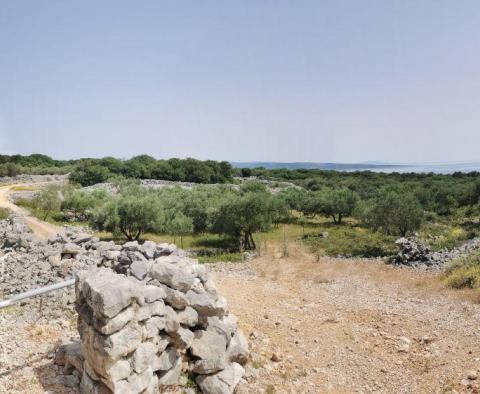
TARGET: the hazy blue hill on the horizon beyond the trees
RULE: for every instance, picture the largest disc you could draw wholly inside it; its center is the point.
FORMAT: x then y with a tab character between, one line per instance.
321	166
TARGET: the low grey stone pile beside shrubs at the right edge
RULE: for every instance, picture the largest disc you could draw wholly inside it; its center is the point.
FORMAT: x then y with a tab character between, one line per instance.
414	253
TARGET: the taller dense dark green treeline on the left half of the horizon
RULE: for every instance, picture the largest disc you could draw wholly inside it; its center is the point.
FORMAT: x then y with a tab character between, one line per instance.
91	171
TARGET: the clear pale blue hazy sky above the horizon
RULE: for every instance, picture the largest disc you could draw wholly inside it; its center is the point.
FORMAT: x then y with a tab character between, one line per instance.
271	80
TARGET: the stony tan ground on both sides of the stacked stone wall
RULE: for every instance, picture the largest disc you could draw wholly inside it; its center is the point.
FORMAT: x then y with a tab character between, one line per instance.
339	326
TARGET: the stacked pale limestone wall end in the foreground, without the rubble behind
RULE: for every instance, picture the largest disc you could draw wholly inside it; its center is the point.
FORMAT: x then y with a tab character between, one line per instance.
159	319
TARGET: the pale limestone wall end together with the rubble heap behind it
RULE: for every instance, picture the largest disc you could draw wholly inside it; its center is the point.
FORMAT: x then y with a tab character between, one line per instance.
148	315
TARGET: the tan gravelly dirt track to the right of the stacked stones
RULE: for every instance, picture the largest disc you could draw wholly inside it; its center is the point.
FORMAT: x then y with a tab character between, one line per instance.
346	326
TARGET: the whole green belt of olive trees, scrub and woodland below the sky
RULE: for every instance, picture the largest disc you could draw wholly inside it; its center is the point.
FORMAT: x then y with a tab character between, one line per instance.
332	213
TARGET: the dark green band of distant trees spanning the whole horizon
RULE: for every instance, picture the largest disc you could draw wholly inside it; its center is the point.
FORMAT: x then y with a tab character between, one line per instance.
436	192
